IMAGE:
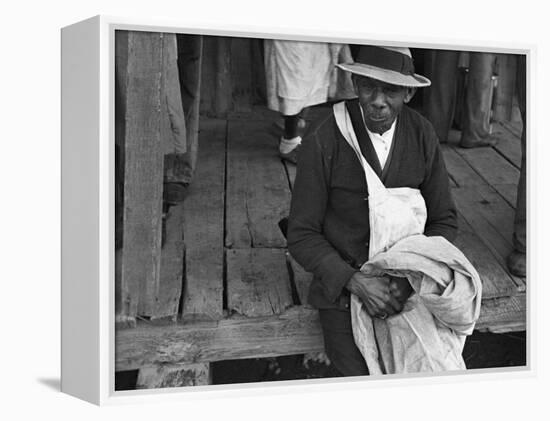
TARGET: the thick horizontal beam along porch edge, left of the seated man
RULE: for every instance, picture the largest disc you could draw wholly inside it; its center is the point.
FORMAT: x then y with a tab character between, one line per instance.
296	331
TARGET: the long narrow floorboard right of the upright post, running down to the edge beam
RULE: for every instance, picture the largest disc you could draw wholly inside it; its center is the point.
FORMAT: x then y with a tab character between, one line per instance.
204	227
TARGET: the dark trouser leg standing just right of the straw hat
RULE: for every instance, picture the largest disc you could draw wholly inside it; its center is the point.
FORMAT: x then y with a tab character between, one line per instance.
439	98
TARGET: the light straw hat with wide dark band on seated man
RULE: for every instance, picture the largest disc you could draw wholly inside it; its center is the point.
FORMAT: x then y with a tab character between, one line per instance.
392	65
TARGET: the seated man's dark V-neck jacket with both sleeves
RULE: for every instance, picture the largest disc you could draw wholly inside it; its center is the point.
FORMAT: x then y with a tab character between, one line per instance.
328	230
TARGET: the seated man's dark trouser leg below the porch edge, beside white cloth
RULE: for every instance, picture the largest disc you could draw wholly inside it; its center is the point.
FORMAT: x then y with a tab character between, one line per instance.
340	345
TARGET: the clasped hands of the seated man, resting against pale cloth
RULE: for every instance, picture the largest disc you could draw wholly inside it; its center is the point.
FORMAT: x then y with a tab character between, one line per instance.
382	295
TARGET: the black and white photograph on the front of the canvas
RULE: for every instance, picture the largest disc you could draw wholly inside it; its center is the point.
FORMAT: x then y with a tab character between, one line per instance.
290	209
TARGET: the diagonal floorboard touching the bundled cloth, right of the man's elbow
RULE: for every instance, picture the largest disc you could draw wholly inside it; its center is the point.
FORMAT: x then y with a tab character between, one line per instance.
495	279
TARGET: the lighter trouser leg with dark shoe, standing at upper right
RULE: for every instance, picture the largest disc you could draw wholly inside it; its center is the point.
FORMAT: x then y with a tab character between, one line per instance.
477	108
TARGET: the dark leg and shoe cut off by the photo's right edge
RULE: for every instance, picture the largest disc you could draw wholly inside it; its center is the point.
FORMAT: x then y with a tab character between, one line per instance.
516	260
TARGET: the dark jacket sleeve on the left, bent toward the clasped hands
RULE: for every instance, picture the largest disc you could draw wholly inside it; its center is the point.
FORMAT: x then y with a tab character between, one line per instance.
306	242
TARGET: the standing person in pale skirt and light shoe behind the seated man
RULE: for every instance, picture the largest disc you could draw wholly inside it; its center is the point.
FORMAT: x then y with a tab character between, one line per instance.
298	75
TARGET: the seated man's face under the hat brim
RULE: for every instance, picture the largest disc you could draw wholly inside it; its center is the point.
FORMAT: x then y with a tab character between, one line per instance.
381	102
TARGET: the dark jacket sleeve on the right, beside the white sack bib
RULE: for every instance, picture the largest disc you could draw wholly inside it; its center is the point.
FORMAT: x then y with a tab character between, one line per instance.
442	217
